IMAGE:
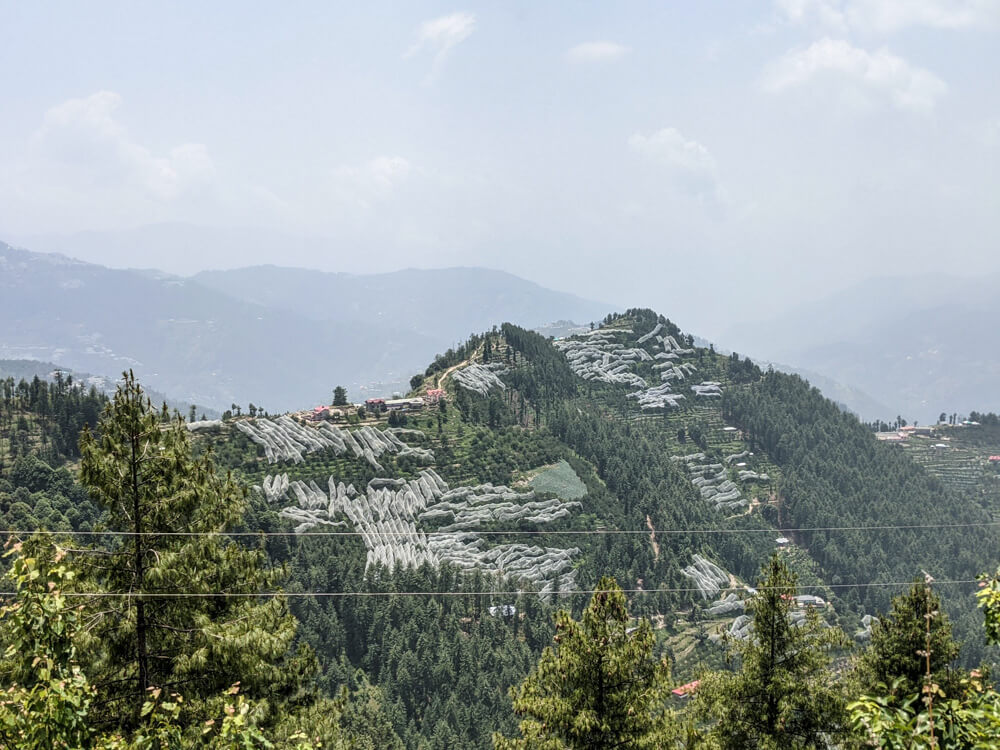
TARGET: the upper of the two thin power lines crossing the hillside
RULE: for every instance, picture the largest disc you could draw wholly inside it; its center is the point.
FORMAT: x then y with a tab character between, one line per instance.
518	532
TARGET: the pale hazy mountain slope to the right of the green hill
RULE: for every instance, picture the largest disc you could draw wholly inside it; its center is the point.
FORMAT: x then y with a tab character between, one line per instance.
919	345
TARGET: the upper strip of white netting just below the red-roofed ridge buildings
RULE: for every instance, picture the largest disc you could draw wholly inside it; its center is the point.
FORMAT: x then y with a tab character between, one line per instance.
284	439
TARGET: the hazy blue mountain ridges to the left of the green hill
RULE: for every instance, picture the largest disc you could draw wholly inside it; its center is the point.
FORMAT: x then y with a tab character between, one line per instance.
278	337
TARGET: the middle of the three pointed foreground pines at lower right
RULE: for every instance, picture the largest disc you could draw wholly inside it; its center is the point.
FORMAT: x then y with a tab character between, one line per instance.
781	696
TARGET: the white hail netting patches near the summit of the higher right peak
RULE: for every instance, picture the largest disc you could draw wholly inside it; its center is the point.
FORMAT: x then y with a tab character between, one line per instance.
596	355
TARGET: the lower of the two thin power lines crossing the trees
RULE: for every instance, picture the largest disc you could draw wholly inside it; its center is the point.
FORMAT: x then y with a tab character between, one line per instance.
347	594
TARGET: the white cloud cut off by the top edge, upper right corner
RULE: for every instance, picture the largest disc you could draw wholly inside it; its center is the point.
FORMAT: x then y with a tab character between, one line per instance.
892	15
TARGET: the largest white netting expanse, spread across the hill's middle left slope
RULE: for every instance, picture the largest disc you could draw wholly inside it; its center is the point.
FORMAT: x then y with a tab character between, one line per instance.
386	516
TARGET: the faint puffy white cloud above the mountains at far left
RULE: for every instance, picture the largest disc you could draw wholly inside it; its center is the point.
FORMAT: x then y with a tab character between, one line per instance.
83	139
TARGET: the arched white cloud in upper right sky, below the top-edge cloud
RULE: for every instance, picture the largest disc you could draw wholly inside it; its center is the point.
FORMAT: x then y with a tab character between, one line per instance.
879	73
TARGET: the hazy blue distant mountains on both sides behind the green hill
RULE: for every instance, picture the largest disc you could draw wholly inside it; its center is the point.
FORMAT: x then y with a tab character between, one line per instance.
283	337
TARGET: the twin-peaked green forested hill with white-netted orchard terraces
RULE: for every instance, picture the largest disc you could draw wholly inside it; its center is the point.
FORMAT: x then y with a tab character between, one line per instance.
425	549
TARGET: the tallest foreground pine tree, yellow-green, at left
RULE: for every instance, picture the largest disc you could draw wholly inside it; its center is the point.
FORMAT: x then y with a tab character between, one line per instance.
163	622
